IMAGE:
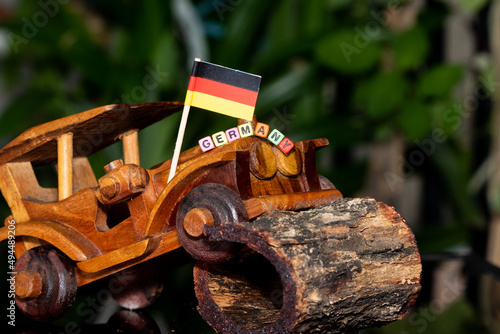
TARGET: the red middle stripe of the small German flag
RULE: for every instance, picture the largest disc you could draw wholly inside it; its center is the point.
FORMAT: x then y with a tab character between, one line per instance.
223	90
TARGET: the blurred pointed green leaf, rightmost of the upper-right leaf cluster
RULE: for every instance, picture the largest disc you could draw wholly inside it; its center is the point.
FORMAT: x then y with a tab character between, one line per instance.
439	81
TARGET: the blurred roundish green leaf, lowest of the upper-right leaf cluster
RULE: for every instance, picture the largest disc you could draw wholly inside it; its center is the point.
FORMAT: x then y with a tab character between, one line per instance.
415	119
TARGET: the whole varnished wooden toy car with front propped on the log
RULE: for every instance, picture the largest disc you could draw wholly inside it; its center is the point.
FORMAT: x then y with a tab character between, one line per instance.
88	229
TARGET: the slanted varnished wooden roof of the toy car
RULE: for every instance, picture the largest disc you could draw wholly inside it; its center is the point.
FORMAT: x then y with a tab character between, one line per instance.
92	130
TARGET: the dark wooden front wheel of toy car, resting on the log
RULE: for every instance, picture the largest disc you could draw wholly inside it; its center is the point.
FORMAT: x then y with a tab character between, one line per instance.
209	203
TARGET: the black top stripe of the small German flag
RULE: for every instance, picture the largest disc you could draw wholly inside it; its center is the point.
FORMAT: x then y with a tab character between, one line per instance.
226	75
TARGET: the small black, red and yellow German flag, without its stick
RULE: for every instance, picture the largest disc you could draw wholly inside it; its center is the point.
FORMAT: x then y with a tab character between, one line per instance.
223	90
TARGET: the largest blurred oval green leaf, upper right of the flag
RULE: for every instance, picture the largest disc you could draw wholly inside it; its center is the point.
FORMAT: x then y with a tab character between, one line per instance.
348	51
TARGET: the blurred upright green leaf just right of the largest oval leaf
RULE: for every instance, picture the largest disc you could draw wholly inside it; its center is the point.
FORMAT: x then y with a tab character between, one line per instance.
410	49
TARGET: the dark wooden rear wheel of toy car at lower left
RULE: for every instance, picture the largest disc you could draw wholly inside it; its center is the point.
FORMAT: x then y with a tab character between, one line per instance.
45	283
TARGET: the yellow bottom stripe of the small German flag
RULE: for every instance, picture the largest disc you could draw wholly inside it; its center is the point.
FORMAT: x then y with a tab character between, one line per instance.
220	105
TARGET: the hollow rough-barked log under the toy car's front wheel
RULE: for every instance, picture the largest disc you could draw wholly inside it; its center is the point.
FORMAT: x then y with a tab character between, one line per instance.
339	268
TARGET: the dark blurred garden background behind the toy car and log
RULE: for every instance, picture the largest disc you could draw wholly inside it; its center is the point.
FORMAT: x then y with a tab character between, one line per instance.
404	91
